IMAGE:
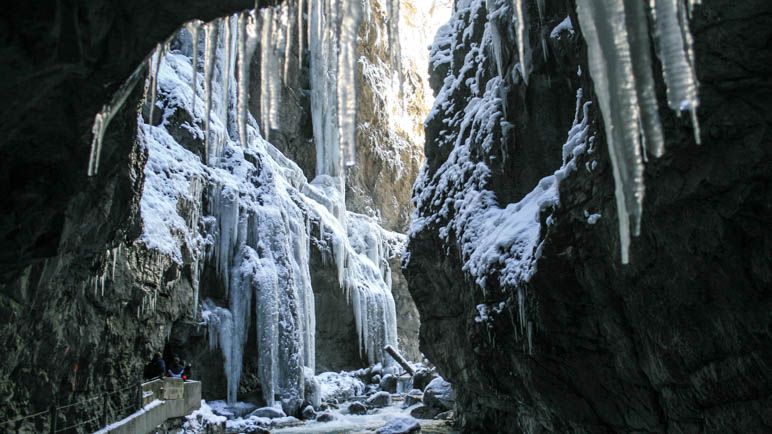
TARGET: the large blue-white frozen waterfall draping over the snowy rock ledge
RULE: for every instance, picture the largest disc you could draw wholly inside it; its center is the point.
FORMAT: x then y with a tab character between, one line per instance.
260	214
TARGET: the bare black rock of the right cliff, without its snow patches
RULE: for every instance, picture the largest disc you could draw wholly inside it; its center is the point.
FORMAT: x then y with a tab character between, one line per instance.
677	341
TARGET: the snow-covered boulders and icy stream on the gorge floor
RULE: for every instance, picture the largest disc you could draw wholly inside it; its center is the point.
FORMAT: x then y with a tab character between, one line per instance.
346	405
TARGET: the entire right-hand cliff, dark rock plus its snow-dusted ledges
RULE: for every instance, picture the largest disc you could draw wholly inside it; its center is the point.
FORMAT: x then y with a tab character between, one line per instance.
677	341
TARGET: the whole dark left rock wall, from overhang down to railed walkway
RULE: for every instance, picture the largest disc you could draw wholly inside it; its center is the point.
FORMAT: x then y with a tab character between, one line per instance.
61	336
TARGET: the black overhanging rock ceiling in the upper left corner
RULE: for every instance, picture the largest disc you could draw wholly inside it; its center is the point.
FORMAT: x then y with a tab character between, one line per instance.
61	62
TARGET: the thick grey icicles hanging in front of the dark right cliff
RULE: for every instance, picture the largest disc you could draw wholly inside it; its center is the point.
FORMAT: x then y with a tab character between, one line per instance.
617	36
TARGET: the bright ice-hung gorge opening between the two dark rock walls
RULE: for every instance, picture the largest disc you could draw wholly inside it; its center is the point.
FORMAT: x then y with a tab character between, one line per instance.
288	236
